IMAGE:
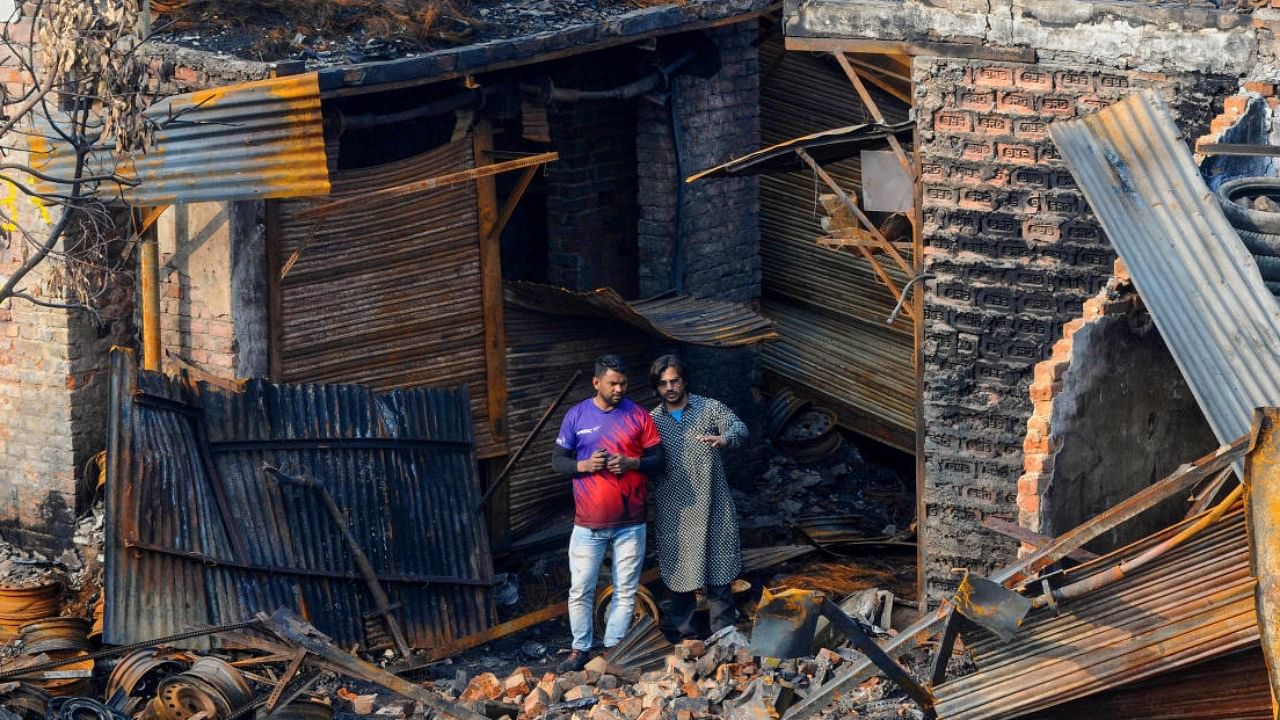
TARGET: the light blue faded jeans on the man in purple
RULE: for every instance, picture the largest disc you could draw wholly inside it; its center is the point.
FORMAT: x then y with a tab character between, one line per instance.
586	553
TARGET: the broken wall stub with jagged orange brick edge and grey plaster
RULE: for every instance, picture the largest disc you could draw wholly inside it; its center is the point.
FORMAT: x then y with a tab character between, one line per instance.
1112	414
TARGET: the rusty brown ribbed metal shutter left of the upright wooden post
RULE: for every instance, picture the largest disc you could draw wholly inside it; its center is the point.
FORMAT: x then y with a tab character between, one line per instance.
387	293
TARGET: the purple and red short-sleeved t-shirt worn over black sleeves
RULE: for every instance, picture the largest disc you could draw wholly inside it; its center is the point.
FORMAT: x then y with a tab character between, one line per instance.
606	500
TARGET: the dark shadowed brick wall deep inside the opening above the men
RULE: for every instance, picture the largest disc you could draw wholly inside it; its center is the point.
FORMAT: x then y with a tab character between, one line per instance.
592	189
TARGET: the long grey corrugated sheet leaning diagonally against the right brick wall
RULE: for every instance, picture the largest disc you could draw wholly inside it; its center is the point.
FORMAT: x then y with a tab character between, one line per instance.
1203	288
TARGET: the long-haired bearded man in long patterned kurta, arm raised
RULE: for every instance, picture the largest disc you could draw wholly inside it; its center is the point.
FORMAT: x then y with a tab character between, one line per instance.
696	523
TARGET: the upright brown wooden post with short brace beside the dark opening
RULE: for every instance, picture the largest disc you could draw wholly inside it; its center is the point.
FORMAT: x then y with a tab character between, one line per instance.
491	280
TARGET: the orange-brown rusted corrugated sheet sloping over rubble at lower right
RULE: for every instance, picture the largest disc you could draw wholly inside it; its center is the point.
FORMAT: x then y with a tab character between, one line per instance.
1192	604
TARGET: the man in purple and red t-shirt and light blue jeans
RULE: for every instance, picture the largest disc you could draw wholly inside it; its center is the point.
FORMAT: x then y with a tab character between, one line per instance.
609	445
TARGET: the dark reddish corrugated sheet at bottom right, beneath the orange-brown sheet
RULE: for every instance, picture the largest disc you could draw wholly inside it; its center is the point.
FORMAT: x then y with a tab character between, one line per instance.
1231	687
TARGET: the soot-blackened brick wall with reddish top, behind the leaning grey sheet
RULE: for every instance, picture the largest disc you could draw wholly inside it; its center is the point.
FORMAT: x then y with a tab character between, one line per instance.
1016	250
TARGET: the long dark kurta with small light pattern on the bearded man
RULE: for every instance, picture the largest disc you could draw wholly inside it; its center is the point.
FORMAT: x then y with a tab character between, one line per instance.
696	522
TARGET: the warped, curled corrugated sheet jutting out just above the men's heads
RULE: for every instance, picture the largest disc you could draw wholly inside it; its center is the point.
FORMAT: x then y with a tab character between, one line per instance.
680	318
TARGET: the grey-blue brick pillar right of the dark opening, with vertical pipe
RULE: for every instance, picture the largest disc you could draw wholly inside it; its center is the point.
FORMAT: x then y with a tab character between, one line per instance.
720	234
